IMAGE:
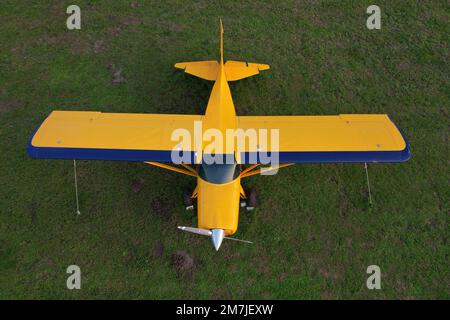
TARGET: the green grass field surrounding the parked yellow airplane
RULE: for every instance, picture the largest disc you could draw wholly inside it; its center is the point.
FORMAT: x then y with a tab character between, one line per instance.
314	232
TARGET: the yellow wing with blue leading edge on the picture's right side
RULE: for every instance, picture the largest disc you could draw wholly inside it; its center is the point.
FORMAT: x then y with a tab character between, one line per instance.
340	138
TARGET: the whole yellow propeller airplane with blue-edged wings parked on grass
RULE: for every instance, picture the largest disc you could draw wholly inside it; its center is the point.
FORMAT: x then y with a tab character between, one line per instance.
157	139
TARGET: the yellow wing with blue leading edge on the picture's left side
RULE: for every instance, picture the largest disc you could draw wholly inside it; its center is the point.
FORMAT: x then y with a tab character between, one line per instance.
111	136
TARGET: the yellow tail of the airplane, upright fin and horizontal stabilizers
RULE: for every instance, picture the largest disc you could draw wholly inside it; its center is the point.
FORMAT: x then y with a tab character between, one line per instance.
234	70
